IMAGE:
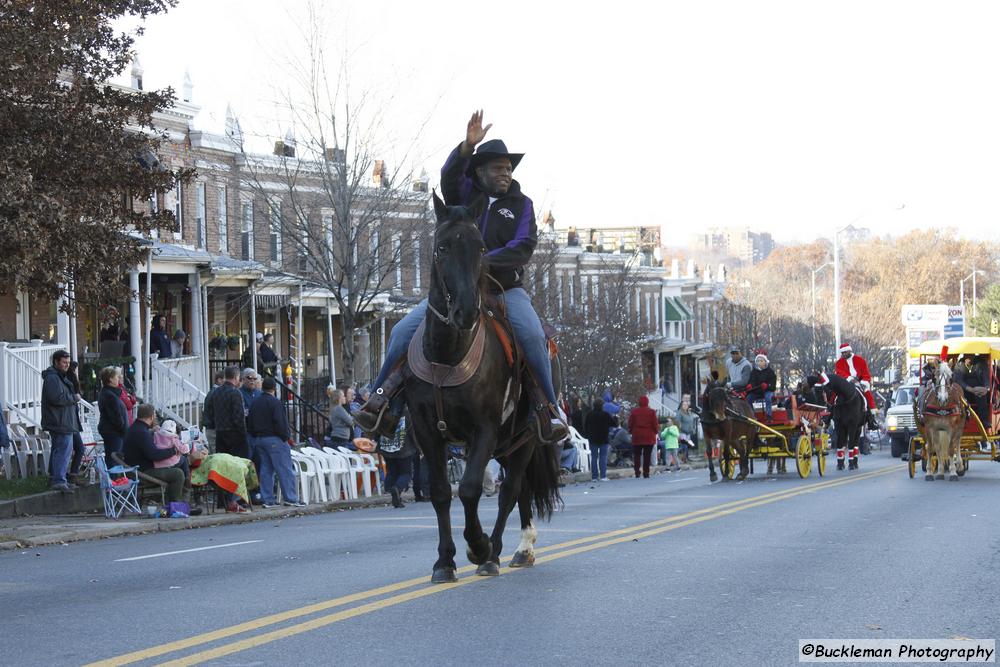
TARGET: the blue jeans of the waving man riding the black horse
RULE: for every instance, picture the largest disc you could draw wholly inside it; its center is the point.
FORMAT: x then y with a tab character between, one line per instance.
527	328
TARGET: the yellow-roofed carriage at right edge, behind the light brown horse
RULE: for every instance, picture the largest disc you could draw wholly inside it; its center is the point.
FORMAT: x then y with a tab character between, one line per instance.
980	434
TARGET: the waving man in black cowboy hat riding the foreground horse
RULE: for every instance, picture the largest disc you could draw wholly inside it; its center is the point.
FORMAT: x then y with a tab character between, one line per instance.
510	236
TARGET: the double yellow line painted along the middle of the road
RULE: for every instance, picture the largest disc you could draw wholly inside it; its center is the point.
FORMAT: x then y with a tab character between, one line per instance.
551	553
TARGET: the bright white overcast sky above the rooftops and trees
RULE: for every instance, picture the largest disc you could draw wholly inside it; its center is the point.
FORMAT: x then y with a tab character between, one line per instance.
790	117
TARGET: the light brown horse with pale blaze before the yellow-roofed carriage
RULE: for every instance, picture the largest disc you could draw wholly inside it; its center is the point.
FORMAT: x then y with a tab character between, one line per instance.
942	415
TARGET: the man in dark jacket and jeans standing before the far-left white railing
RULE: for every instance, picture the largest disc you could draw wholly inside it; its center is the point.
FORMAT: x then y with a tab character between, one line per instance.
60	417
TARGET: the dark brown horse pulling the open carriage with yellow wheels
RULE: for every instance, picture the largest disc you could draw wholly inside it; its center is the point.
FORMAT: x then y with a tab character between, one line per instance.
725	419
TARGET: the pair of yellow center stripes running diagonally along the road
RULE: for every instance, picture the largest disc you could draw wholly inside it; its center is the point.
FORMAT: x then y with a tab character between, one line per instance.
265	621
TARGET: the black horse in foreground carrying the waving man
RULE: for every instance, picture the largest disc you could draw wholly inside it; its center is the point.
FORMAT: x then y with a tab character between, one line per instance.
487	412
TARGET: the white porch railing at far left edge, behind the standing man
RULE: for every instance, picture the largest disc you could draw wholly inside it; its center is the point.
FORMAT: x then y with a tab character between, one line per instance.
21	366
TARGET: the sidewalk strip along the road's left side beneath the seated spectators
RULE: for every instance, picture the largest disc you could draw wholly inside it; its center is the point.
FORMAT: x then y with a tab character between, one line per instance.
38	531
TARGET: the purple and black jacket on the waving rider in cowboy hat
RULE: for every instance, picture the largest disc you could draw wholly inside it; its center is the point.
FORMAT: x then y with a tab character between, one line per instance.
508	226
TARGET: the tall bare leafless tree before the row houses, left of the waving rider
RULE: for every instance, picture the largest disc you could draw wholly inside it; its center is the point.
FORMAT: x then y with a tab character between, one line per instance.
340	216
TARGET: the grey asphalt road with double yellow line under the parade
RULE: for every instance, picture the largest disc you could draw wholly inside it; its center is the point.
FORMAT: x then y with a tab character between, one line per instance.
670	570
